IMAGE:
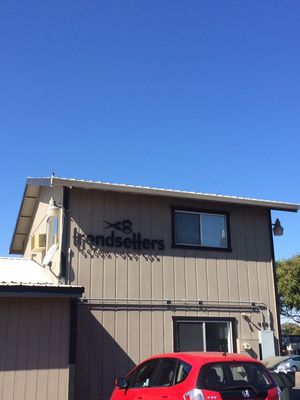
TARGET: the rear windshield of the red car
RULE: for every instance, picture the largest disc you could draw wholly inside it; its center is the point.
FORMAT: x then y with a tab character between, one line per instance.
234	375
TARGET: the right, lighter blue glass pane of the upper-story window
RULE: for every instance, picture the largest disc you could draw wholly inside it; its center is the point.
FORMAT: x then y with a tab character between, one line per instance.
213	230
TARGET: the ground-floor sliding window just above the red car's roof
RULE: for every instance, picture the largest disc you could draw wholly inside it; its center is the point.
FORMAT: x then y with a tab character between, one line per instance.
193	334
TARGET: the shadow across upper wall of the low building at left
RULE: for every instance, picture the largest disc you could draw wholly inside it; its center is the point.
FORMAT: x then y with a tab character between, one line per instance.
34	335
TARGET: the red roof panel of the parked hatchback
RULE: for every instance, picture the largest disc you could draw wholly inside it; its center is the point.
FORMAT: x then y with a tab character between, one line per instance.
204	357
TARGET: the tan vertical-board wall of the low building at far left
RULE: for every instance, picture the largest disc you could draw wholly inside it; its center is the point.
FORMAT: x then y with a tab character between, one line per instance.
34	349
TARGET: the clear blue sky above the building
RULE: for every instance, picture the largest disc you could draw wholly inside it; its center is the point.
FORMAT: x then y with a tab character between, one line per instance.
196	95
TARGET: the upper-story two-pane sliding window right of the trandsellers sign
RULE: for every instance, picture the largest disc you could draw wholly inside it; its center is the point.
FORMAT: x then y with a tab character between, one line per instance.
200	229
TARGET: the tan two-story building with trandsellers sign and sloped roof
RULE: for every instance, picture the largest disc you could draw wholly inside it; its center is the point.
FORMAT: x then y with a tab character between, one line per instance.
162	271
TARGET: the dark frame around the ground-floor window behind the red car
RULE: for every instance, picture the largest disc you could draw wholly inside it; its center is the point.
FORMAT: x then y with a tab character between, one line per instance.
177	320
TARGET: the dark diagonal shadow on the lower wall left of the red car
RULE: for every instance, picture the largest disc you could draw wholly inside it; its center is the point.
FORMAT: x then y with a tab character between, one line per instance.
99	359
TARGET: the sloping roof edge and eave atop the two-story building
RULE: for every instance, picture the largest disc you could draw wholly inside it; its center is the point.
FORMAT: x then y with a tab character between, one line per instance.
33	185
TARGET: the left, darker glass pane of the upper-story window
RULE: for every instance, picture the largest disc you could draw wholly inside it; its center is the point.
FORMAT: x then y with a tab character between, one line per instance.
187	228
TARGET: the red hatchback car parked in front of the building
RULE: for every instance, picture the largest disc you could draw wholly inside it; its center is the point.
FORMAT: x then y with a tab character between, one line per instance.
197	376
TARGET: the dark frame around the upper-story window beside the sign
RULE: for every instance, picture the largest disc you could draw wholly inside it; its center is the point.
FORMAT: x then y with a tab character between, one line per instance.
226	214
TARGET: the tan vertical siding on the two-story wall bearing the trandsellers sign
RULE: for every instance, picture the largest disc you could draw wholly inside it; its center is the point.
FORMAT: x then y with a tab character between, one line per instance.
110	341
